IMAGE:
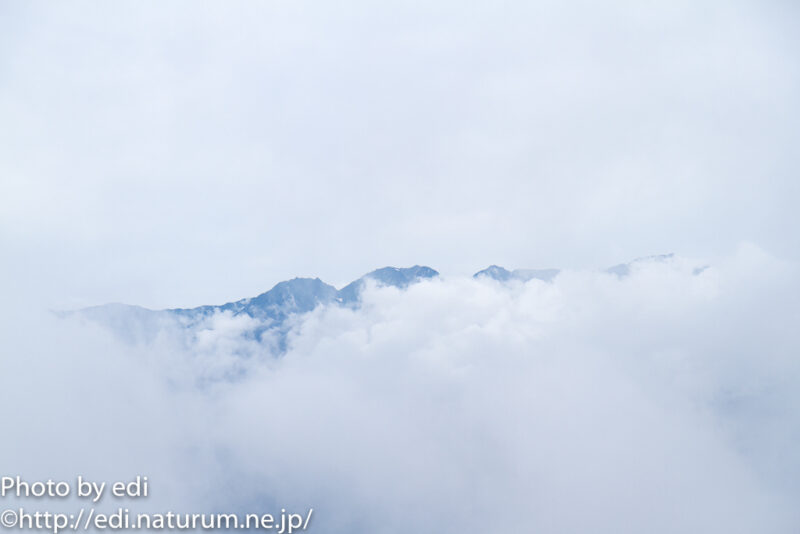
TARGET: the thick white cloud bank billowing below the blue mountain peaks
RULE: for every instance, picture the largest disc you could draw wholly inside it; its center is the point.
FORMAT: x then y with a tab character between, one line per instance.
659	402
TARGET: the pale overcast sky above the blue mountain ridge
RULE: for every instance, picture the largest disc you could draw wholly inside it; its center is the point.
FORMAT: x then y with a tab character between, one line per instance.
174	154
